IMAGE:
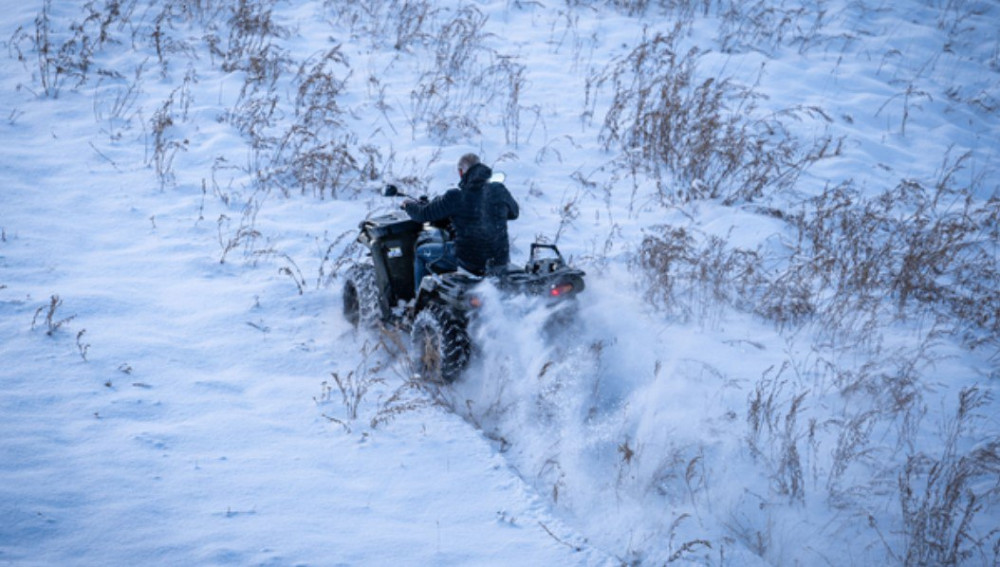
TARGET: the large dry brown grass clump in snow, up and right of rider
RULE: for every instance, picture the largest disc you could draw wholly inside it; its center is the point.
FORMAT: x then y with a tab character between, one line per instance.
700	137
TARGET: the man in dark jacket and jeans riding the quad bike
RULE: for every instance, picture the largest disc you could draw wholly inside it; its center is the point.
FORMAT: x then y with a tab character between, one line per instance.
479	211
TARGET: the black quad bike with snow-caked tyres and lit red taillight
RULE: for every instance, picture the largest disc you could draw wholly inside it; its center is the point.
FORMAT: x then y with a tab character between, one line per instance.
380	288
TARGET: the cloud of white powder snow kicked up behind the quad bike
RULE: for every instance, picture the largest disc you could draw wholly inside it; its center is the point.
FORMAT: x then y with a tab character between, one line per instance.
609	413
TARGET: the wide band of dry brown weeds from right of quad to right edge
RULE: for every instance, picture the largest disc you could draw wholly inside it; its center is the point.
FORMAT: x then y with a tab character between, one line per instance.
928	247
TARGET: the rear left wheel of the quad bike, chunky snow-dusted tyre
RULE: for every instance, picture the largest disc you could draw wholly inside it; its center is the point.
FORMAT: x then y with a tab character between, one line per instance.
440	344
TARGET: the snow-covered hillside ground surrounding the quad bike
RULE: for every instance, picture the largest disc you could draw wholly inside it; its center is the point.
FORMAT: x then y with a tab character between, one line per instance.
179	386
